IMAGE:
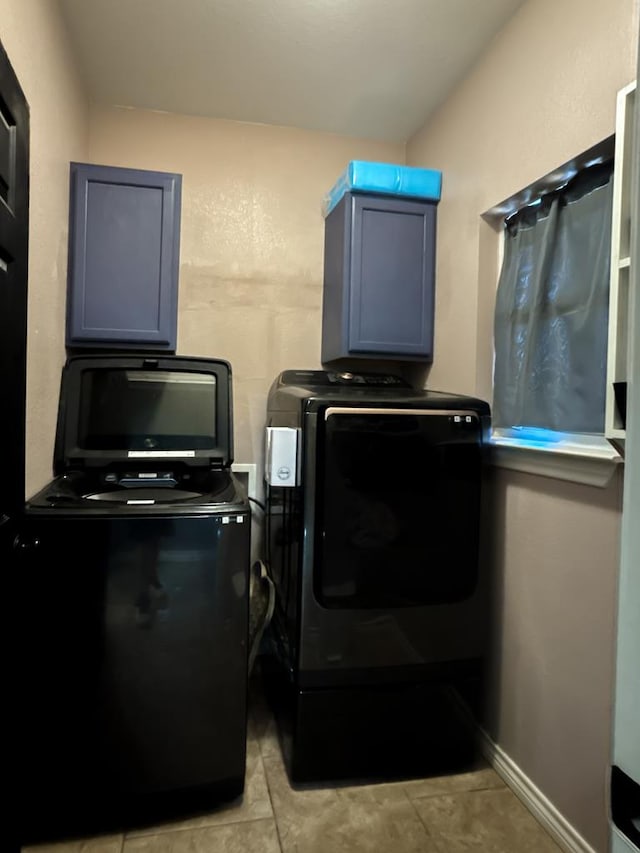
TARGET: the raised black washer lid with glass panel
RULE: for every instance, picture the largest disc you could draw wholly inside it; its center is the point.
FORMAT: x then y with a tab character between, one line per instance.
144	411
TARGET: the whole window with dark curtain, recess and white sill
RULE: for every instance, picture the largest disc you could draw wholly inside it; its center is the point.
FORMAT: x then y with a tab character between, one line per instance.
551	321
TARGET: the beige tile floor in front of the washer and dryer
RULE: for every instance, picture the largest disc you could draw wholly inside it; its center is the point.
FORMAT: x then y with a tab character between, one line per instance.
453	814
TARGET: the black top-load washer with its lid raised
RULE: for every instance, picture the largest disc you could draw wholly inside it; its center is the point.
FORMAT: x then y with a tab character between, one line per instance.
133	574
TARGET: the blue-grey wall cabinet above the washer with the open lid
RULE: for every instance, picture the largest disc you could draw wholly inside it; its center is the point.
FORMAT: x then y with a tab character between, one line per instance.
124	243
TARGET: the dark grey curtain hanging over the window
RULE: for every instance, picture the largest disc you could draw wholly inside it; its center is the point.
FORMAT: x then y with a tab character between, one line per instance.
551	314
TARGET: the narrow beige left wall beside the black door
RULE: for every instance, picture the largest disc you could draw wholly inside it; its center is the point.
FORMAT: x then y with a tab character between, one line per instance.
37	46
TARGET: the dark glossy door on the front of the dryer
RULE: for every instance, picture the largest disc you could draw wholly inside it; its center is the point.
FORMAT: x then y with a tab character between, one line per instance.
397	507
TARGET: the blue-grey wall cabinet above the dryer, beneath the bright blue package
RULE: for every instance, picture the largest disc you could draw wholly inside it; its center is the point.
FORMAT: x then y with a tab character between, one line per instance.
379	270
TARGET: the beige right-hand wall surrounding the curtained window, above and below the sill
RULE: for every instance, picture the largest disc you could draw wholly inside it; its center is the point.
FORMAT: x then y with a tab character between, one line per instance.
544	92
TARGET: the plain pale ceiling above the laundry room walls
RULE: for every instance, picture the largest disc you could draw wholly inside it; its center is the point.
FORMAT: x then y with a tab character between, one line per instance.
370	68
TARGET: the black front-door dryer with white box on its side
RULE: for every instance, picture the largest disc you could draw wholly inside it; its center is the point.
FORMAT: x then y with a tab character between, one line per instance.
381	613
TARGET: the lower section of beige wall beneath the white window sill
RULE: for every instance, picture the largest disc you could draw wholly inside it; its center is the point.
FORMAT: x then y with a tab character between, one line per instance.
555	561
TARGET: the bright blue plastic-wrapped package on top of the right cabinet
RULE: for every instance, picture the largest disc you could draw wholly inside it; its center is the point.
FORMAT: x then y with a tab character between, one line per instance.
384	179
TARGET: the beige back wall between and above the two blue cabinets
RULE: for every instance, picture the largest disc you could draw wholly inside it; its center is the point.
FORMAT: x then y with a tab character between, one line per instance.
251	238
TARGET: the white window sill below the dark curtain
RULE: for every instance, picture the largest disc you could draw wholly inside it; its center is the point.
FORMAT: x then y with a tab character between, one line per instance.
589	460
